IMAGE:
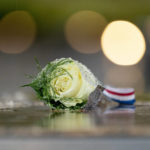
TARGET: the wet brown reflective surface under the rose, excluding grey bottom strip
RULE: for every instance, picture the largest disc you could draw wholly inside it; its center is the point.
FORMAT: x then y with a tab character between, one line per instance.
109	121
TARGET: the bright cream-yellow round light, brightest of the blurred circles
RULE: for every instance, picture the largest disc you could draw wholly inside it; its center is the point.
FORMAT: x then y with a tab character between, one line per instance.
123	43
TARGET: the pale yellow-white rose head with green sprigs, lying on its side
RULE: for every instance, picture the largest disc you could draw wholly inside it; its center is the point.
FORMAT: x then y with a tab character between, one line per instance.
64	83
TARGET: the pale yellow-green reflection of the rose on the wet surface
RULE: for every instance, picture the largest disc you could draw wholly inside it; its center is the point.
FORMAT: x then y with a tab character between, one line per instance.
70	121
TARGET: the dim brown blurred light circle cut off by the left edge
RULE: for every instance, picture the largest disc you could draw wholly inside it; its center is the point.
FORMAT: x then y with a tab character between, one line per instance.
17	32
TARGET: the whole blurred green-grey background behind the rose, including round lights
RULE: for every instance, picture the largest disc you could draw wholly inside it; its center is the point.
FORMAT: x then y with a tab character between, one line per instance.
111	37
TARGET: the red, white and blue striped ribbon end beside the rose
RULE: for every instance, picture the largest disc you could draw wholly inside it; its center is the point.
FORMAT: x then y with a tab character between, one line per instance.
120	95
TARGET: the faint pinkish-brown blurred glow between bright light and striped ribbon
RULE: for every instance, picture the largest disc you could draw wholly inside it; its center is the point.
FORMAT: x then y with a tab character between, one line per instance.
125	77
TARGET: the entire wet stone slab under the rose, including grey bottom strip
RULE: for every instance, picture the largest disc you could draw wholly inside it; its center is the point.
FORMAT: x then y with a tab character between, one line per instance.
110	127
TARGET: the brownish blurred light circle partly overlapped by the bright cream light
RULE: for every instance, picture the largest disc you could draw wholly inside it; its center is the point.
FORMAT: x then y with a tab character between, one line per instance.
83	30
